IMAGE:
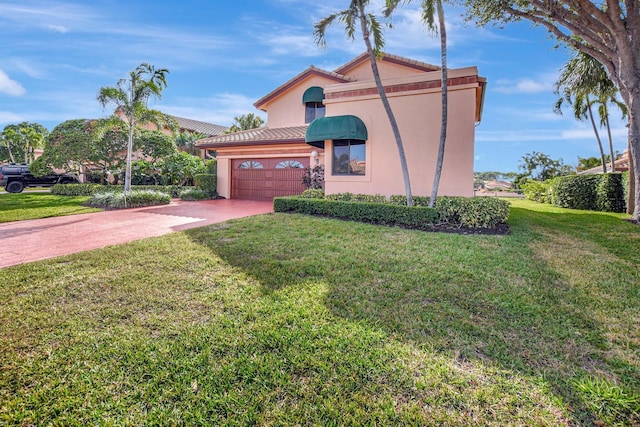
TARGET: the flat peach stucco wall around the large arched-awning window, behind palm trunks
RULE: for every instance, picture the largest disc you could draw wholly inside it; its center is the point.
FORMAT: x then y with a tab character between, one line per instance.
419	115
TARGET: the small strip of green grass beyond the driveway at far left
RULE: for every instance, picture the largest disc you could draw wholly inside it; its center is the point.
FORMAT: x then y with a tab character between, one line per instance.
39	204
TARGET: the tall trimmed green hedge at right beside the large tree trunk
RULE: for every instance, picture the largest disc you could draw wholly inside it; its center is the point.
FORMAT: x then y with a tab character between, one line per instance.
602	192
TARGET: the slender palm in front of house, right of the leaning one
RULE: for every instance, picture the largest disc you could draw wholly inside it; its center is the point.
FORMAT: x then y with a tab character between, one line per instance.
429	10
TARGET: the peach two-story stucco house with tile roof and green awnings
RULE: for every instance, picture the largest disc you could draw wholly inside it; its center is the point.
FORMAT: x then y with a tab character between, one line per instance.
336	119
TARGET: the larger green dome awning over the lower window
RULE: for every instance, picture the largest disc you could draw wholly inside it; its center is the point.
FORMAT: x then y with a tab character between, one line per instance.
337	127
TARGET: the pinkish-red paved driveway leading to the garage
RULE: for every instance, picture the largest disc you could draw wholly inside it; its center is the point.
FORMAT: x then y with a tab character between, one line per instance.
33	240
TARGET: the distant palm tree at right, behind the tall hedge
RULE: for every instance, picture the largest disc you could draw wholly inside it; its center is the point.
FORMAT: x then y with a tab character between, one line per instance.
584	83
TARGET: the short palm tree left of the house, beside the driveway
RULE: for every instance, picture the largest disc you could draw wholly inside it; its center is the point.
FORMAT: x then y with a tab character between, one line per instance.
130	96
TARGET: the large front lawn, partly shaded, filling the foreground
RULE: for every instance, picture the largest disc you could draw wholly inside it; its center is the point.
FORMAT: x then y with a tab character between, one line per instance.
293	320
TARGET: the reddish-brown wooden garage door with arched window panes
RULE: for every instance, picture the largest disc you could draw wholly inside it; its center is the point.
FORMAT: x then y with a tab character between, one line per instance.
264	179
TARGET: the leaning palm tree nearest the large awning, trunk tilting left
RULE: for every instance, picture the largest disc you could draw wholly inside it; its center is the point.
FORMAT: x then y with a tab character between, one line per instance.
369	25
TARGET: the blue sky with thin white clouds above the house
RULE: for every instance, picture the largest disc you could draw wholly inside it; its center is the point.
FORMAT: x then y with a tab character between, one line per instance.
224	55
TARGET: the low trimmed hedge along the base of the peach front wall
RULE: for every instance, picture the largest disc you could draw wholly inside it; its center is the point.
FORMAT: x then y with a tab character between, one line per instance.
474	212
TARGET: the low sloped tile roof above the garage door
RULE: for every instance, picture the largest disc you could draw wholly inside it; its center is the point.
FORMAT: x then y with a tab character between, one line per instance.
263	135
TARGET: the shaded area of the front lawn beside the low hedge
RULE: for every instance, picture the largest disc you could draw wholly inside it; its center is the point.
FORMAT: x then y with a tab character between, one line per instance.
553	301
